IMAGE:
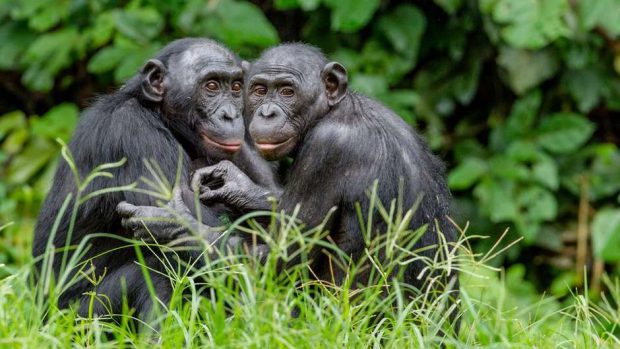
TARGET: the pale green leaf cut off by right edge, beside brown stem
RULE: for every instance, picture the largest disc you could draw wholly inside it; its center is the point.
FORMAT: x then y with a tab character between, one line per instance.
606	234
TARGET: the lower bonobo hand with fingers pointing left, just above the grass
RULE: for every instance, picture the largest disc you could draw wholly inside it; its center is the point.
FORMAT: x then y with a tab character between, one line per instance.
167	223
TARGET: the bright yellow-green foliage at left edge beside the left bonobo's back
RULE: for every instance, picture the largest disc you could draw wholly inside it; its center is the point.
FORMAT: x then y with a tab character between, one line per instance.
28	153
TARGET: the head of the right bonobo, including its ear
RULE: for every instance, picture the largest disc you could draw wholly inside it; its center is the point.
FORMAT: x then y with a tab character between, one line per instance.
288	88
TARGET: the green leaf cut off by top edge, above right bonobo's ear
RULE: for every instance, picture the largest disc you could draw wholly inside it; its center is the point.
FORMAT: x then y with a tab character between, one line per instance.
350	15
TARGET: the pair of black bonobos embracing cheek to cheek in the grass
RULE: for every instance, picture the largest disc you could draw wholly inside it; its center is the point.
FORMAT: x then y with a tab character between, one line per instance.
229	119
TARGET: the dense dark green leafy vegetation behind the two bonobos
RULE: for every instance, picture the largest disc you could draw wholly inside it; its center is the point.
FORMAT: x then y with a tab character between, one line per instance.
520	97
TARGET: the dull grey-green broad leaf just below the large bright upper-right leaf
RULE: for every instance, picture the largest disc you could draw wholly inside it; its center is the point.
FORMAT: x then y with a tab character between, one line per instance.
526	69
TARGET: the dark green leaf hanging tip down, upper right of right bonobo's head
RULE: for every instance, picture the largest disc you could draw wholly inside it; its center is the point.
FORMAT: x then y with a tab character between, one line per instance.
403	27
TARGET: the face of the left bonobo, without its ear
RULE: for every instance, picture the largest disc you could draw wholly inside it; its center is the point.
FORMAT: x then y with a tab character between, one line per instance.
203	86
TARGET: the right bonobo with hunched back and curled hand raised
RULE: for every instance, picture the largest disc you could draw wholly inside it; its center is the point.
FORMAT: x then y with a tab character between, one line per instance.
340	142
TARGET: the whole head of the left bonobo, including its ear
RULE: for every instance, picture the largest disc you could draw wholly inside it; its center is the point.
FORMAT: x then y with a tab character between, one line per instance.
198	85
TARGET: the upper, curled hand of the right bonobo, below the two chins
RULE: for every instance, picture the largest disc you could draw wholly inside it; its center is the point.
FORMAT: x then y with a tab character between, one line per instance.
237	191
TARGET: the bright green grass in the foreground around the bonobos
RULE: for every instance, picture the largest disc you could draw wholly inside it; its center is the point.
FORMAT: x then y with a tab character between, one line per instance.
236	302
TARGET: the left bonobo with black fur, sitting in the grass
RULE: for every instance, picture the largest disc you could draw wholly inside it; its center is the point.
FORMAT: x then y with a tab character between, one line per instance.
186	102
